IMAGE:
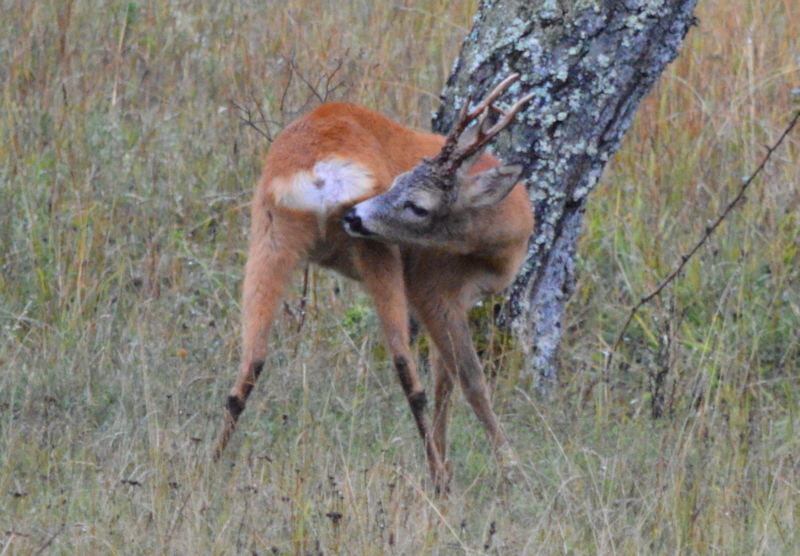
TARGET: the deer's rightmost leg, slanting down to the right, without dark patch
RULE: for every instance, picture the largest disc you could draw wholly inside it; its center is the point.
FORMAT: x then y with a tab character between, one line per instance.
449	330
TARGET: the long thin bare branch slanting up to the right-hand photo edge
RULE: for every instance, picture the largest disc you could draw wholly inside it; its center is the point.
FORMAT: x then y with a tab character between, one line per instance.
708	231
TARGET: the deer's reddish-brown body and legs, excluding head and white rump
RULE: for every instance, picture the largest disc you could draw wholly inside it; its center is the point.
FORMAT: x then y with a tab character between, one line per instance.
438	285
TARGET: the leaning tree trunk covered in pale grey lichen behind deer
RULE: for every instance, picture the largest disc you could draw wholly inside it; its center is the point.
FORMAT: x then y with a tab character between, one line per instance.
591	62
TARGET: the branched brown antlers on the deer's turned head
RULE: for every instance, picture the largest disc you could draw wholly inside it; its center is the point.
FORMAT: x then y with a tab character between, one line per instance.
457	147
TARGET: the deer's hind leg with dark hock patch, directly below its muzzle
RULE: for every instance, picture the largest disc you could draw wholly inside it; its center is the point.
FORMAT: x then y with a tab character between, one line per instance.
381	269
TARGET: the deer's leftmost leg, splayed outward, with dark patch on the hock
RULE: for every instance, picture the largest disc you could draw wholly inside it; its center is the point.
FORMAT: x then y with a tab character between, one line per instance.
270	262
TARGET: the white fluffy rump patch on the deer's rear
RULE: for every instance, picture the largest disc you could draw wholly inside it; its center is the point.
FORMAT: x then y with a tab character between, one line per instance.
331	184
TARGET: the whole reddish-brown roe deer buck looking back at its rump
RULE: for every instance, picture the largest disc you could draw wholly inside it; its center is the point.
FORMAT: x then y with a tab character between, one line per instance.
428	224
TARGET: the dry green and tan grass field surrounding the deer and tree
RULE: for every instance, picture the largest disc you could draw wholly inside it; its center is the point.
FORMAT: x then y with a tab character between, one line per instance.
125	180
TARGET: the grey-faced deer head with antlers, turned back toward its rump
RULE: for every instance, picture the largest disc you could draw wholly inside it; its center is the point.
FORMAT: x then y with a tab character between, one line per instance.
434	202
